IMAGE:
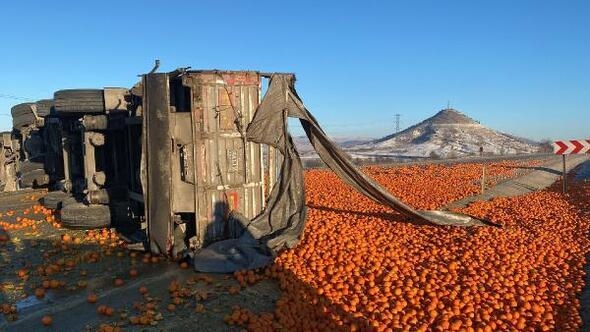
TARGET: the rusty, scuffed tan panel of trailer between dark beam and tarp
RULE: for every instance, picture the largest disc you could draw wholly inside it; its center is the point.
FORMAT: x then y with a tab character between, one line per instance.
230	168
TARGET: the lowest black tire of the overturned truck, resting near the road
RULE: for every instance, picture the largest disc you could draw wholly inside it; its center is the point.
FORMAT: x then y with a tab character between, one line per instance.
81	216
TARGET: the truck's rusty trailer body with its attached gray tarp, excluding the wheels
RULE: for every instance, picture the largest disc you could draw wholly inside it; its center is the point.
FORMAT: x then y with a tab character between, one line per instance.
219	170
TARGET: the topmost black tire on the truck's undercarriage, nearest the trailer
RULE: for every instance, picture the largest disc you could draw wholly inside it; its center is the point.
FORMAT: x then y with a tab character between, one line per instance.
79	101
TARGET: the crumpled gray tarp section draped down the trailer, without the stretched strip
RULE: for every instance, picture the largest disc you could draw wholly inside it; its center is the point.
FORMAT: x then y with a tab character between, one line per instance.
281	223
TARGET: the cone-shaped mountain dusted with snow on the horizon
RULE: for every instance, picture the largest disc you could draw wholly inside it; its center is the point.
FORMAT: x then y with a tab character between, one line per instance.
449	133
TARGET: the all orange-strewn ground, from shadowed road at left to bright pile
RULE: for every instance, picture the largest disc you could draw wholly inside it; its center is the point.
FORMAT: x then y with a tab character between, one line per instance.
360	266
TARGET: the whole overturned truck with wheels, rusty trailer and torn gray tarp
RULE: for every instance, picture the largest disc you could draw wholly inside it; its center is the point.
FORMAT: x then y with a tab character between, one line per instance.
199	161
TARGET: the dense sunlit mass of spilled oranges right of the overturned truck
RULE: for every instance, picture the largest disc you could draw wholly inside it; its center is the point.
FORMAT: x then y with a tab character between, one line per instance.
363	267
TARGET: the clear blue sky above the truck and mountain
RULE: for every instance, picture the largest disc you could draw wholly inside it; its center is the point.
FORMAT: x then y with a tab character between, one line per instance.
522	67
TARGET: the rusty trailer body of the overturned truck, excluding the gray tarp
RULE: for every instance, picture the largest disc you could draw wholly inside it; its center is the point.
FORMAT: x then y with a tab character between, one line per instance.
196	166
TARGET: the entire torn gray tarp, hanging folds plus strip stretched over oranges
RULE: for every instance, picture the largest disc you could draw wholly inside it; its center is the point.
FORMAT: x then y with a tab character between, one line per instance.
281	224
